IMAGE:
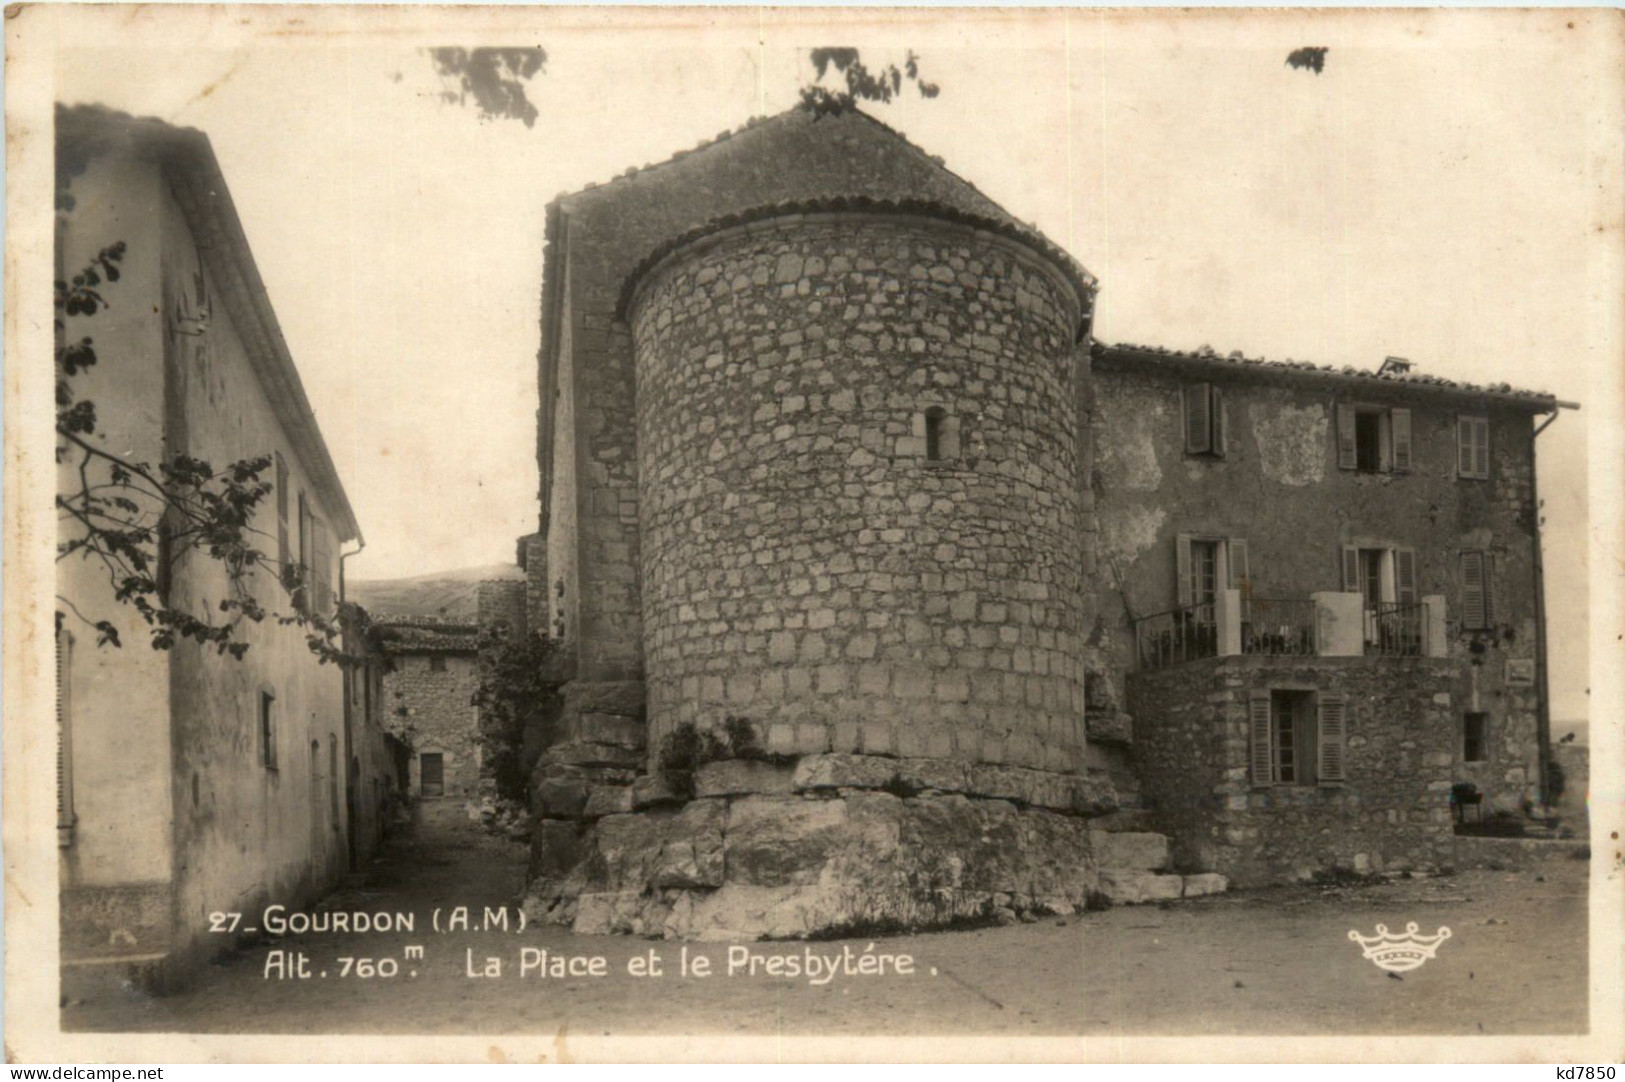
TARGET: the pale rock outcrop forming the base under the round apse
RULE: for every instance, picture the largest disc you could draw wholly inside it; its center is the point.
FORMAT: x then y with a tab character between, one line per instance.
795	865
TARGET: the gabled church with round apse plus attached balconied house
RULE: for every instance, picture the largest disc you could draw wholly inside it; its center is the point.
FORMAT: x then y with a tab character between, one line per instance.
828	451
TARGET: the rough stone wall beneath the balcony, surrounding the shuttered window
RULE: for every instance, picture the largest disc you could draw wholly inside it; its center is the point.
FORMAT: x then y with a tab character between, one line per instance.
1393	811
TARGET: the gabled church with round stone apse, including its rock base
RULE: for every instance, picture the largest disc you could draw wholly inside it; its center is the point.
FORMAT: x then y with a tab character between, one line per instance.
815	542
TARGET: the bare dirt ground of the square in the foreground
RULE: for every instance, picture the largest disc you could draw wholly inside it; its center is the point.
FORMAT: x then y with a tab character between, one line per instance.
1252	963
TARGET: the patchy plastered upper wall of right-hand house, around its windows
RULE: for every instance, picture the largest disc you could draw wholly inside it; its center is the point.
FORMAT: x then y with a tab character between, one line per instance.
1280	488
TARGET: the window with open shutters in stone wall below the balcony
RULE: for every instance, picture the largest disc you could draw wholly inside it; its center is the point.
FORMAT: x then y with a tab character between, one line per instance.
1298	737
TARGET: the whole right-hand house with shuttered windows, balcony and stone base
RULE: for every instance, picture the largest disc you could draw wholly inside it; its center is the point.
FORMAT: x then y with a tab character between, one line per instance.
1322	587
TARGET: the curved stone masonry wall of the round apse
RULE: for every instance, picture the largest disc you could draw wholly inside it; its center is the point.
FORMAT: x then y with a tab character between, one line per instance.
804	563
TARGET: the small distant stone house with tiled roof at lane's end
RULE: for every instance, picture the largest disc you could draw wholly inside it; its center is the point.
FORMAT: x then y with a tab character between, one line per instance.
428	701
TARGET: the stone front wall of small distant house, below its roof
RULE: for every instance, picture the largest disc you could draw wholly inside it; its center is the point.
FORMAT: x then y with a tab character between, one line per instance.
436	714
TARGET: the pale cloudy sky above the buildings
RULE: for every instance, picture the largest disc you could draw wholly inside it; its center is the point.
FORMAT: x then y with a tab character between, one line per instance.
1434	194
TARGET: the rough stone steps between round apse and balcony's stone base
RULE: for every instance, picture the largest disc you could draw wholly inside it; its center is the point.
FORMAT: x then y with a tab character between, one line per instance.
1132	855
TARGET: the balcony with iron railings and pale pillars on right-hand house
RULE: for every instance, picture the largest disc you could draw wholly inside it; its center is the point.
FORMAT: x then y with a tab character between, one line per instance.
1320	626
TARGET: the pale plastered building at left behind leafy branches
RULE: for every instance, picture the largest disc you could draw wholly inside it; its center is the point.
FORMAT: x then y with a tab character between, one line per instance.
189	782
